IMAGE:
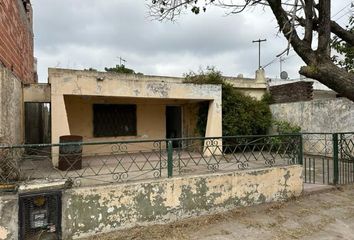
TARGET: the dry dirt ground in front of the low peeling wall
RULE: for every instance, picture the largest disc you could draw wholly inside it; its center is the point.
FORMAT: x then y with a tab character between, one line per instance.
327	215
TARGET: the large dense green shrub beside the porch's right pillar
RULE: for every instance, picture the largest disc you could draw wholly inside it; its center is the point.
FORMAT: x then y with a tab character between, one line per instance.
241	114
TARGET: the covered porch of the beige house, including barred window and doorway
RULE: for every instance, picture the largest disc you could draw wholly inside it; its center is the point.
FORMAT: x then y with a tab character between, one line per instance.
118	107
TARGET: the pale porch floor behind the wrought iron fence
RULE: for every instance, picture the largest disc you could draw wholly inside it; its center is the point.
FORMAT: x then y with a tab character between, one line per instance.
103	169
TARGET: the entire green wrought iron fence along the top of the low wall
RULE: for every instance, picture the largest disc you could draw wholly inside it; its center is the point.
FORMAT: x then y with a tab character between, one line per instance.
106	162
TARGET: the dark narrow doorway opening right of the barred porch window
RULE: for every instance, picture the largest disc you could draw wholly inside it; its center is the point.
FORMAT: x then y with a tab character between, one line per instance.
174	123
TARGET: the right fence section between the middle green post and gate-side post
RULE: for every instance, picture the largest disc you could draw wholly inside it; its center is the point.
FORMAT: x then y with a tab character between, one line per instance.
229	153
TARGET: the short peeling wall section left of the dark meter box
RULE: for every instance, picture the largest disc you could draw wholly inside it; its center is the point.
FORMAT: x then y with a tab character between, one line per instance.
9	217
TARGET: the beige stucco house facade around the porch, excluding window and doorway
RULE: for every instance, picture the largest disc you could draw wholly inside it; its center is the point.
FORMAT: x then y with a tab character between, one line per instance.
73	94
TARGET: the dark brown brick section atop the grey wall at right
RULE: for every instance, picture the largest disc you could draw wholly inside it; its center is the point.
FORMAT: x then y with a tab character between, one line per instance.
292	92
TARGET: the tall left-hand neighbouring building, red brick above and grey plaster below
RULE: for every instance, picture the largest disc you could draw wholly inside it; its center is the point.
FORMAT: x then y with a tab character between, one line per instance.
16	66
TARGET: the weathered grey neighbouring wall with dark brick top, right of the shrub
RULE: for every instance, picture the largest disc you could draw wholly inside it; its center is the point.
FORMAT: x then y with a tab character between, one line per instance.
311	106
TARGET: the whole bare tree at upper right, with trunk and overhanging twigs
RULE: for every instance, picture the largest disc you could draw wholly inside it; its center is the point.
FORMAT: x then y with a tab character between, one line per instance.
294	17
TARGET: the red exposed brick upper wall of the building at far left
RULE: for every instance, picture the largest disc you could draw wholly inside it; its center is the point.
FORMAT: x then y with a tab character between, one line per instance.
16	38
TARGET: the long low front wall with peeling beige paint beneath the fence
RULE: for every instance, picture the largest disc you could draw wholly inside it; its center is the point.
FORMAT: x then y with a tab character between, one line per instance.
91	211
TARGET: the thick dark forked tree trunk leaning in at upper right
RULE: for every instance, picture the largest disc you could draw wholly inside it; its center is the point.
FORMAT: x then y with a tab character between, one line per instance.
319	65
